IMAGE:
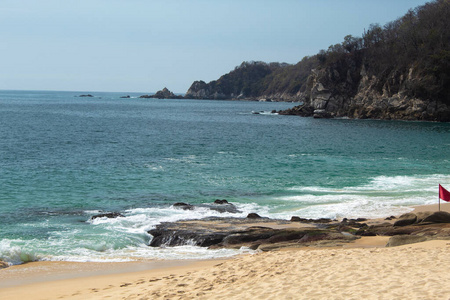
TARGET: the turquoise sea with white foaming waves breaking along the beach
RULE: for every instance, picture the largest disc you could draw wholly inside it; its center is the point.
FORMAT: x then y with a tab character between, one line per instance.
65	158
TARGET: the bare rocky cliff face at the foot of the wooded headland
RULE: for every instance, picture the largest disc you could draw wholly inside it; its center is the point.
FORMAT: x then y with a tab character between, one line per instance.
346	89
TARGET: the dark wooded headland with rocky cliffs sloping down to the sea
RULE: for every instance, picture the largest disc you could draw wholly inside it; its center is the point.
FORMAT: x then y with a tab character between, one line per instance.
397	71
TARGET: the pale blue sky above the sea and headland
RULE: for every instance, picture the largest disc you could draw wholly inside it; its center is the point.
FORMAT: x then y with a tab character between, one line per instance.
145	45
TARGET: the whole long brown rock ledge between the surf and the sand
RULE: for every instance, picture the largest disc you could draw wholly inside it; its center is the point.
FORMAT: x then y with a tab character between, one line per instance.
268	234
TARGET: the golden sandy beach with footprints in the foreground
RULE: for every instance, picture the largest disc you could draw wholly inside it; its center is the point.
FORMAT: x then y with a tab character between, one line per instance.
363	269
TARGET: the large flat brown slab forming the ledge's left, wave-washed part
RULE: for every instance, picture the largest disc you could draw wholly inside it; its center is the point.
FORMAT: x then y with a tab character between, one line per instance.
238	232
